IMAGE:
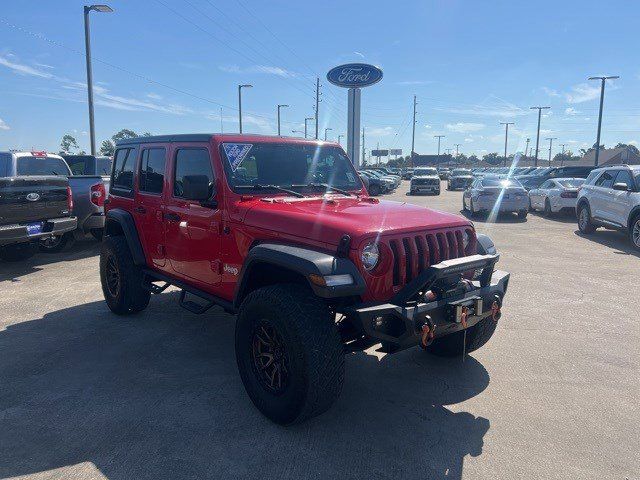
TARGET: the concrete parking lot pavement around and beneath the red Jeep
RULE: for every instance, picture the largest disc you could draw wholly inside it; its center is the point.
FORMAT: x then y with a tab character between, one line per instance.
554	394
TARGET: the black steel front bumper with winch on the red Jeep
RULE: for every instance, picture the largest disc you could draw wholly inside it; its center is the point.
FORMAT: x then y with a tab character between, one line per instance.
400	324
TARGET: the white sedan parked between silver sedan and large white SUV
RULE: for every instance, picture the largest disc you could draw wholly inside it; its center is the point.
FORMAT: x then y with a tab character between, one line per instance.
555	195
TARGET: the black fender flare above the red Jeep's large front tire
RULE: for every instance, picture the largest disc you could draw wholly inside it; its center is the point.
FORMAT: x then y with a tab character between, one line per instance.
304	262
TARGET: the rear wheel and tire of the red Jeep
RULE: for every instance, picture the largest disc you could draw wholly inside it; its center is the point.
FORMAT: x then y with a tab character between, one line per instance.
127	296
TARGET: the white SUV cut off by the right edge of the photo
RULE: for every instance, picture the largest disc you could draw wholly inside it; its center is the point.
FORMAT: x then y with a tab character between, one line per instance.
610	198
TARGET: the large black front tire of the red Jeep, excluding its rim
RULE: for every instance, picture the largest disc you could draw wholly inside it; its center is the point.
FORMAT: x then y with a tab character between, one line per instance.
314	352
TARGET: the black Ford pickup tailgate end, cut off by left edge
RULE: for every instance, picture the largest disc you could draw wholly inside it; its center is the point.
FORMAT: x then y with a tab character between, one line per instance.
36	203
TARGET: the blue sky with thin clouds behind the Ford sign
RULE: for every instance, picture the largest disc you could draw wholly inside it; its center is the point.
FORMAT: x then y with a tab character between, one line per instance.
168	66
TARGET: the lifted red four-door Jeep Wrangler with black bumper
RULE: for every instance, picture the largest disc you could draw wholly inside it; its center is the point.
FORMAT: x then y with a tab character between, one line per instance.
281	232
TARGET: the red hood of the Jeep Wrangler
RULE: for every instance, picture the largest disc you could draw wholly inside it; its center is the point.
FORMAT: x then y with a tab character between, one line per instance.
327	219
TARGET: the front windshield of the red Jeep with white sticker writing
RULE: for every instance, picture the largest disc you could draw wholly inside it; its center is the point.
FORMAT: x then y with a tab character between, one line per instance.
287	165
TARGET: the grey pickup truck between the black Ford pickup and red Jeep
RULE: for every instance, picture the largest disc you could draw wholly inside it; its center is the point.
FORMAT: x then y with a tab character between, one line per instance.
88	193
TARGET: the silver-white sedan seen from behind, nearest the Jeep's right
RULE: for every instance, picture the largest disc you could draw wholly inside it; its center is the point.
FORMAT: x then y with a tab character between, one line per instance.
496	194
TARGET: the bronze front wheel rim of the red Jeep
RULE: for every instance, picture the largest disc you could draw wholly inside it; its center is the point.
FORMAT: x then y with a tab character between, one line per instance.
270	358
